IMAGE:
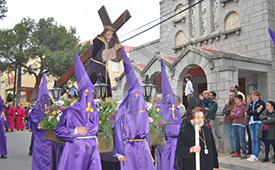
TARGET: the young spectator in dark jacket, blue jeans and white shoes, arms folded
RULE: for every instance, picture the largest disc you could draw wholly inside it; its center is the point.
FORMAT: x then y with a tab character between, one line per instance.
255	108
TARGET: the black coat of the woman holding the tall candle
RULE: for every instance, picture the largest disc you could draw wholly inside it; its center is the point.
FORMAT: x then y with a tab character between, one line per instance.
186	140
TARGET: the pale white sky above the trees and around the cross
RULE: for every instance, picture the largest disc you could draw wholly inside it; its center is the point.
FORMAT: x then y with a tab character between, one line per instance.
83	15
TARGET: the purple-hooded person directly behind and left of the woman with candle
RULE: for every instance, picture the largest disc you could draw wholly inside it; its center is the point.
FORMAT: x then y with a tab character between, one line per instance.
167	156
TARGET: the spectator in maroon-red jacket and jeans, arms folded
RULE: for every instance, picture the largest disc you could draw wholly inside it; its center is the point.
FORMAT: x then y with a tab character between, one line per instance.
238	125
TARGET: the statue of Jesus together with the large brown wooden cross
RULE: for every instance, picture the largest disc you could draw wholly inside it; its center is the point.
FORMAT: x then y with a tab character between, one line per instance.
106	47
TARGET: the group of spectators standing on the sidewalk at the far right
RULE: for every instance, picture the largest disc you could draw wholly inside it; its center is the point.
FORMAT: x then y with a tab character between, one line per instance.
253	116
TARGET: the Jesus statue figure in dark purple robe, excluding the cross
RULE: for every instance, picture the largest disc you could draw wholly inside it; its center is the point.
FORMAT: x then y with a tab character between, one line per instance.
102	53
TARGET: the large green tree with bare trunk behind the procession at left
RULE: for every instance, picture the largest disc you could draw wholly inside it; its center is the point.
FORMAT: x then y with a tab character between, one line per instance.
49	45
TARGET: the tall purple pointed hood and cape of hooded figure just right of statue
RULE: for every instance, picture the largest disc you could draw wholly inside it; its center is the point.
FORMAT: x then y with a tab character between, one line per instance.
133	104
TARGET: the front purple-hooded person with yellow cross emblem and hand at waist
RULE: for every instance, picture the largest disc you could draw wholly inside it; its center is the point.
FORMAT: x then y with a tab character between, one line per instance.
79	126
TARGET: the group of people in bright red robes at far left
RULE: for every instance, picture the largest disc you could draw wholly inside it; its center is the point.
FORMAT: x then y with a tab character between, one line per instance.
18	116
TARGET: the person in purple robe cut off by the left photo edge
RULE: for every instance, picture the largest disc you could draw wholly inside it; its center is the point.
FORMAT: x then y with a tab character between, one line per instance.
4	125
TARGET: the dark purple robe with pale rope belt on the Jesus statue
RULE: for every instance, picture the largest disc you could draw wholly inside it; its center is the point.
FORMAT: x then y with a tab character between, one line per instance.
99	66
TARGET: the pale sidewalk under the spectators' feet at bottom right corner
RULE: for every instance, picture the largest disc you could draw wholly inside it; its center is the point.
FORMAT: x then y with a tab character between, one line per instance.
225	161
